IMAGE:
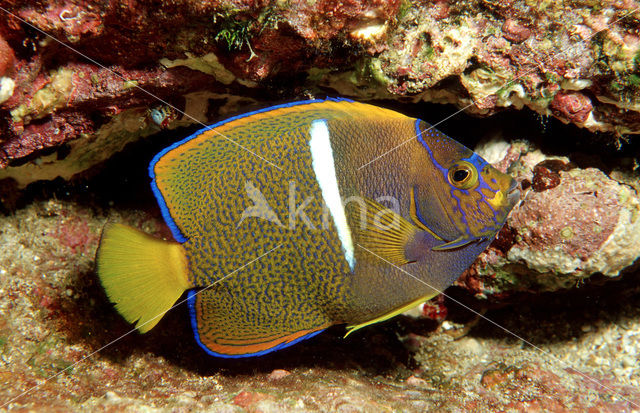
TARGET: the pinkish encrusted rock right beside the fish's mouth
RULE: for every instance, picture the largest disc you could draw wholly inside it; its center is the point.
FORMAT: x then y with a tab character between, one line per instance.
572	223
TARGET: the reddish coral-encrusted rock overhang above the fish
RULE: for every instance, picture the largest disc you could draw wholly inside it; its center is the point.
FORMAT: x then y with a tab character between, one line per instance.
573	60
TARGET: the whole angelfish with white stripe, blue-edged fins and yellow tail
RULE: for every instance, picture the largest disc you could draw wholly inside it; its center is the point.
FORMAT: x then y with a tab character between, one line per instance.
283	226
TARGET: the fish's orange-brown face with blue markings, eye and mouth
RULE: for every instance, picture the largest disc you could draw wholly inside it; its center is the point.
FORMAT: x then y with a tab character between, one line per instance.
457	194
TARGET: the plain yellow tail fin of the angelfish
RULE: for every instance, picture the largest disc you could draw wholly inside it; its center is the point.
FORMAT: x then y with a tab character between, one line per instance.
142	275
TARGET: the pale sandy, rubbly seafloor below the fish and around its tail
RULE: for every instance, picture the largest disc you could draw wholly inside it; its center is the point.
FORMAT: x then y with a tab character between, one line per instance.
58	348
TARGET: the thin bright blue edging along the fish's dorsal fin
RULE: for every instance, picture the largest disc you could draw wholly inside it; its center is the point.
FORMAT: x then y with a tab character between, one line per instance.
177	233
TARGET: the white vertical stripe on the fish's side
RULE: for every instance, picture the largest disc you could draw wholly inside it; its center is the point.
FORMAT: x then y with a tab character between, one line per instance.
325	170
